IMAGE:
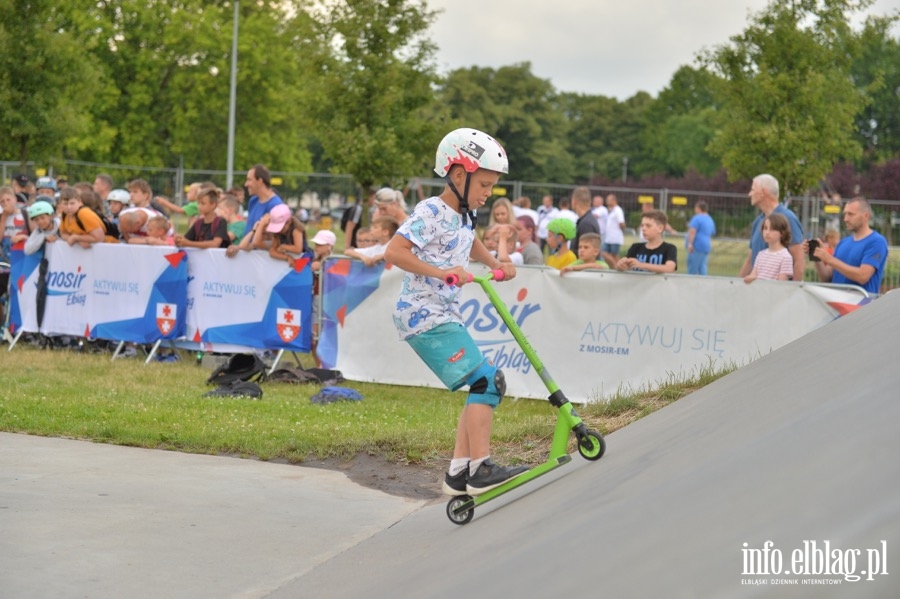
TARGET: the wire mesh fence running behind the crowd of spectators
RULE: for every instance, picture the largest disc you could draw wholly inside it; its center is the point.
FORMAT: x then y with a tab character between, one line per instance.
326	195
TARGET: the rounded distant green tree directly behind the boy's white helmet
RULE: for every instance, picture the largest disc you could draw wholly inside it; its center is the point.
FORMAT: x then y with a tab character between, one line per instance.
520	110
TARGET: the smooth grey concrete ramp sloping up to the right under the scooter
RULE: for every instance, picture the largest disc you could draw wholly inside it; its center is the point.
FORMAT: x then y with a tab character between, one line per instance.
790	463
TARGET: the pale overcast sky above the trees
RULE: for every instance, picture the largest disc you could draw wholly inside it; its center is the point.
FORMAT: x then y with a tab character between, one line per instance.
596	47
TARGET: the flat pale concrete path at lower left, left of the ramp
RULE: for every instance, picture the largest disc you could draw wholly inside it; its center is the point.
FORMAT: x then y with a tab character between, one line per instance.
80	519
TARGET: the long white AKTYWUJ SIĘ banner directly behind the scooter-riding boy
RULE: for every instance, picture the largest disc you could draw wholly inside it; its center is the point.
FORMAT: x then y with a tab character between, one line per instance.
596	332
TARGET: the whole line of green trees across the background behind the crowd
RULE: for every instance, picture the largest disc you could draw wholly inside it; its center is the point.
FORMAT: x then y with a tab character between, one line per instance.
351	86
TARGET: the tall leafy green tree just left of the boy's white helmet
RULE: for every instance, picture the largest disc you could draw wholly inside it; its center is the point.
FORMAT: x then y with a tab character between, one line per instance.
373	86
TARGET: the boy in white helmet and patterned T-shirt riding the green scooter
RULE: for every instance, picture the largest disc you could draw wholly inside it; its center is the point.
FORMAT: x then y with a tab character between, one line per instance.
437	240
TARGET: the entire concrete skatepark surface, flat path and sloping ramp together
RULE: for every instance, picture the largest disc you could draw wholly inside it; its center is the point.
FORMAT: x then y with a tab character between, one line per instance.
787	464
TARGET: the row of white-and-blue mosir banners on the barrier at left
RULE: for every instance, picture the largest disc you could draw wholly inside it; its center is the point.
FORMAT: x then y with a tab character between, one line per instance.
142	294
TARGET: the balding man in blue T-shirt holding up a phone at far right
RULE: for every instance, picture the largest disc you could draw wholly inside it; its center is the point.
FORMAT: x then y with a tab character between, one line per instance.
859	258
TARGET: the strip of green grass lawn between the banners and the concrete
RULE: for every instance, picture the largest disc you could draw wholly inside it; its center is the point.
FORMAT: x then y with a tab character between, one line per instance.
66	393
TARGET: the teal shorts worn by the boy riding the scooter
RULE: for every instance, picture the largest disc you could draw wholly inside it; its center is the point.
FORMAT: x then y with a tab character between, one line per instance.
450	352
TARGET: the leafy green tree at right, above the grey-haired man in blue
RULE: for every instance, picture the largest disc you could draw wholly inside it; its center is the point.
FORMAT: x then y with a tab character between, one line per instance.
788	102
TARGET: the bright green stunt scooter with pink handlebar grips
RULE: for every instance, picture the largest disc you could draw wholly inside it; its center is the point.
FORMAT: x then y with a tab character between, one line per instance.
591	445
